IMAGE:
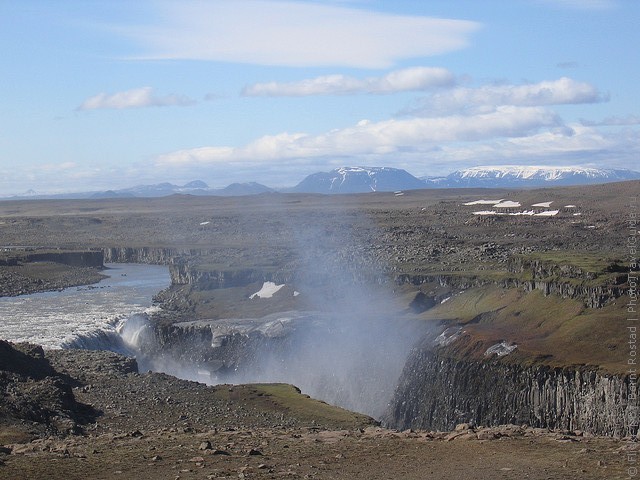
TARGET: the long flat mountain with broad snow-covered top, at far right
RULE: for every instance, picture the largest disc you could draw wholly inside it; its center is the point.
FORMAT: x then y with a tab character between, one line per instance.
530	176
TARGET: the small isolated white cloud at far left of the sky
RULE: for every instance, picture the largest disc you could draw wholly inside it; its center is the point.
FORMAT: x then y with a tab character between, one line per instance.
135	98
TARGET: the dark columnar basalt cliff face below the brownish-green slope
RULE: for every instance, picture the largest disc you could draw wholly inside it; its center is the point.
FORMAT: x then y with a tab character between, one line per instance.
438	392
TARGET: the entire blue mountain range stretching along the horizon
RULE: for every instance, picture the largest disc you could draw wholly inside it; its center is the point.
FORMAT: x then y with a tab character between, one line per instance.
380	179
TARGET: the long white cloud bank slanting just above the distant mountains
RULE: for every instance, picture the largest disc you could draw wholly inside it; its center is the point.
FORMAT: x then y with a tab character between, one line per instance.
372	138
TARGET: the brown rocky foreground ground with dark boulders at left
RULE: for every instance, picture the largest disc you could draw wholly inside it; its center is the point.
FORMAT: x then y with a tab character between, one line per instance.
112	422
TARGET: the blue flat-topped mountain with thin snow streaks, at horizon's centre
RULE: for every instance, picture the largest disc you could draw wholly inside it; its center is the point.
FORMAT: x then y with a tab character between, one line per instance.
359	180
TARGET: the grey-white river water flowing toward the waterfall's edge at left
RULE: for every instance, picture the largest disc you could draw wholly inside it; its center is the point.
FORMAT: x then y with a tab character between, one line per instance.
83	316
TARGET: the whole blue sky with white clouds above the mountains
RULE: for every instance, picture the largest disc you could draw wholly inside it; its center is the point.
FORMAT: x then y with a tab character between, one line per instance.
108	94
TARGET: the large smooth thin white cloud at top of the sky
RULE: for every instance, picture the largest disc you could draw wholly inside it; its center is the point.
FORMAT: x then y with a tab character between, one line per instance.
273	32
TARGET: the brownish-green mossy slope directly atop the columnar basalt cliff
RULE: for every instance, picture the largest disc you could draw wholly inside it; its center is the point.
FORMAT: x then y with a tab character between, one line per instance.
548	330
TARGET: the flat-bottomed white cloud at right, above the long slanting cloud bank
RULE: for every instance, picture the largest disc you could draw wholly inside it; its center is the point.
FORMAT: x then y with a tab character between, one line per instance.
553	92
